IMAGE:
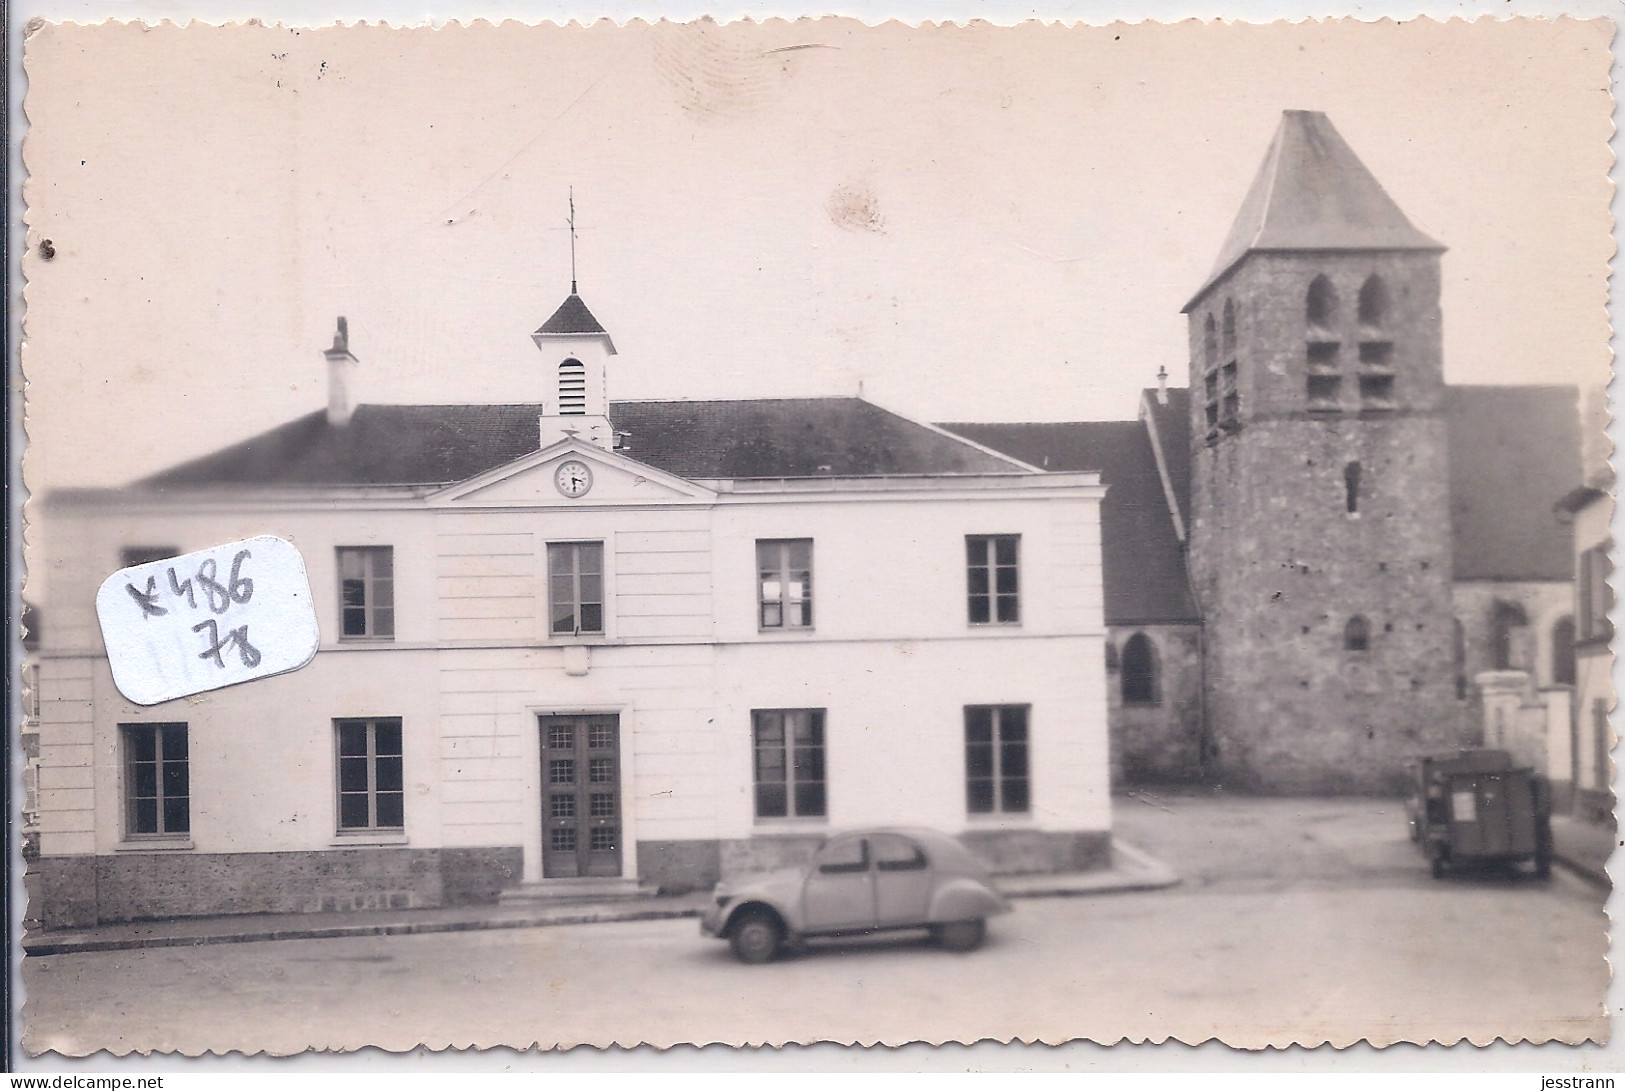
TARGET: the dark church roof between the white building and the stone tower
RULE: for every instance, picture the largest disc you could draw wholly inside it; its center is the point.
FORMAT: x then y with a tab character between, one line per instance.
1143	563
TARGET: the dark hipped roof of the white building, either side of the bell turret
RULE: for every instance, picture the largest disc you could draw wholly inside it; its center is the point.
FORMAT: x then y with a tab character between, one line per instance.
438	445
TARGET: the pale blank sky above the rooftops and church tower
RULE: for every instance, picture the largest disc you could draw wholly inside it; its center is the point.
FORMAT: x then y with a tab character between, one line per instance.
973	224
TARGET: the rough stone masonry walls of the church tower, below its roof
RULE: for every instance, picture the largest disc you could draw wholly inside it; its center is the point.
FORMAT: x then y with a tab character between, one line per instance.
1281	565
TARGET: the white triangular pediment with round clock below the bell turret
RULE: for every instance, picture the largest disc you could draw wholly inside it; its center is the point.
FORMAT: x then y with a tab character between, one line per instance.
571	474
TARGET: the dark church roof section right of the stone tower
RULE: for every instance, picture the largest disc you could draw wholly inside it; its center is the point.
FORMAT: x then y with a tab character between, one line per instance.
1514	456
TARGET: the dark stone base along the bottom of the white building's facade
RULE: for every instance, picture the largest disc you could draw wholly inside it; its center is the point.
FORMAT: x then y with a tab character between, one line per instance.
84	892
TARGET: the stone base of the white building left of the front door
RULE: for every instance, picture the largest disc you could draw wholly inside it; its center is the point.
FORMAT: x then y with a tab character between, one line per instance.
84	892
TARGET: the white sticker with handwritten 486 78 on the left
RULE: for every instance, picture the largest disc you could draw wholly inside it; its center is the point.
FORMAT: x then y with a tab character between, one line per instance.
209	620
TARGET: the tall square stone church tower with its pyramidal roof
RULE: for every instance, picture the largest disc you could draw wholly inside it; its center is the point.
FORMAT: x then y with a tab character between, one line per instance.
1320	547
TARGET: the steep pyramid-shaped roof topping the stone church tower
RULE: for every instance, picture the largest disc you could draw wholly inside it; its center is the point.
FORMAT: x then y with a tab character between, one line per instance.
1314	194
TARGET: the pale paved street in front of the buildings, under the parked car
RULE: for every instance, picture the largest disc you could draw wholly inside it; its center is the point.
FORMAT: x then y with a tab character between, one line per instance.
1299	921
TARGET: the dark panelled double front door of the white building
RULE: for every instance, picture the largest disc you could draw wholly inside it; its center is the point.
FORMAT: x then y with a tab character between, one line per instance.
581	796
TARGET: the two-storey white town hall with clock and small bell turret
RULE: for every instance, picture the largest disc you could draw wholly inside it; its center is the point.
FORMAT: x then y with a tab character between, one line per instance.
584	646
